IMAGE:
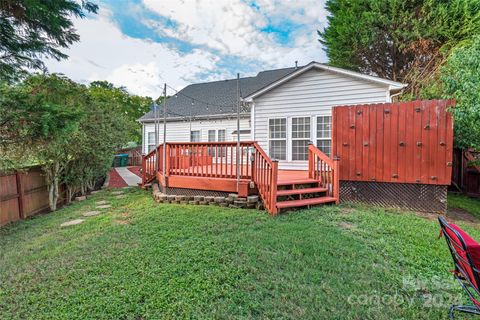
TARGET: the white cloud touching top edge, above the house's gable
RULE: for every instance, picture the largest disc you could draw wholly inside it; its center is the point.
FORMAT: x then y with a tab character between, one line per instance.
234	27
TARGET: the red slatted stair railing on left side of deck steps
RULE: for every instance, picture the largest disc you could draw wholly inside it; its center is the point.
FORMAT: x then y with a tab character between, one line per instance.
265	177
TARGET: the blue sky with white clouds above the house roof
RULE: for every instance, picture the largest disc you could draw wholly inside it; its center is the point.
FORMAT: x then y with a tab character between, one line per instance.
142	44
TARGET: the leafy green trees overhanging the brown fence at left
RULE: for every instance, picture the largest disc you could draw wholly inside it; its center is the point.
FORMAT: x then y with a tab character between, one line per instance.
72	130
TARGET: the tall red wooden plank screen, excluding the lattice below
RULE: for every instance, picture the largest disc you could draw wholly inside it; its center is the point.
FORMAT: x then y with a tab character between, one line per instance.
405	142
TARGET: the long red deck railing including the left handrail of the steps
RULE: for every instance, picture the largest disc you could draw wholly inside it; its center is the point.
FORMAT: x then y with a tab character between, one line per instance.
216	160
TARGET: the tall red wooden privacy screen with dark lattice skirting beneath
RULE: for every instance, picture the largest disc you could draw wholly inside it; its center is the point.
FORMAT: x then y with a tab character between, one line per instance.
408	145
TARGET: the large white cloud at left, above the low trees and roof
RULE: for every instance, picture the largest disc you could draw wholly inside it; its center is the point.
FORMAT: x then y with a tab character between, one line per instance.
104	53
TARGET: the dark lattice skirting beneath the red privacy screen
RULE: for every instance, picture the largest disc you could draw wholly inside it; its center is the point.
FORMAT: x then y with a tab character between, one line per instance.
415	197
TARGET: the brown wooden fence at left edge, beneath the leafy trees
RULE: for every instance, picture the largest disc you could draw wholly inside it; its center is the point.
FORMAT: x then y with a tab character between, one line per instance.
23	194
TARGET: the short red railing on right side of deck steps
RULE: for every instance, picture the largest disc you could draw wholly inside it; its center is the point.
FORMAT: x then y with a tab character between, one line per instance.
325	170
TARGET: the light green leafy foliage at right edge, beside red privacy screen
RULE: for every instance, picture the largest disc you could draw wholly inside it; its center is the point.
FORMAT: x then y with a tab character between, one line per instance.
460	79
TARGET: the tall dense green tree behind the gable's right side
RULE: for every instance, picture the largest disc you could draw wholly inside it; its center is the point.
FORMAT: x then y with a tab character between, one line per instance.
397	39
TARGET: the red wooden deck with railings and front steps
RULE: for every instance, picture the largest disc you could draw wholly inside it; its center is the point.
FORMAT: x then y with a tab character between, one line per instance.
215	166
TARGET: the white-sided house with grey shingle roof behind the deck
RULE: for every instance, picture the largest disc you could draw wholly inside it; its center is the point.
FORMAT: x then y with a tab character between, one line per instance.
283	110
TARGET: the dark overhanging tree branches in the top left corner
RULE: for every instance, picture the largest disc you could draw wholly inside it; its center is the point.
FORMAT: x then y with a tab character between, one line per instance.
33	29
